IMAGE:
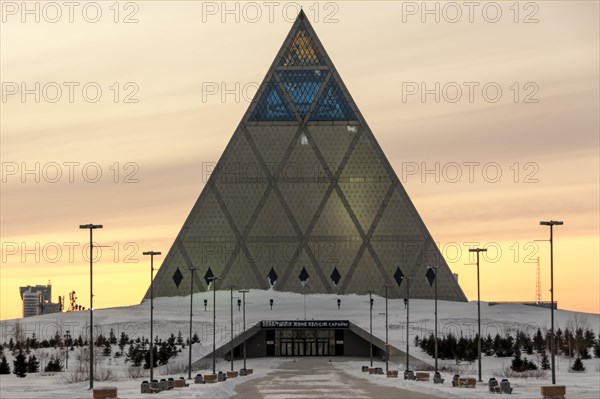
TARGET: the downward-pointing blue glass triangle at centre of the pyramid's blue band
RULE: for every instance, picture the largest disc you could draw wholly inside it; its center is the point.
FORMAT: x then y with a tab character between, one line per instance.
302	87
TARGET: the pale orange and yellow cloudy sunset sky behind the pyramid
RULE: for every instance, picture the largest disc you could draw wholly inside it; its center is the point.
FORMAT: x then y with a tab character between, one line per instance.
483	167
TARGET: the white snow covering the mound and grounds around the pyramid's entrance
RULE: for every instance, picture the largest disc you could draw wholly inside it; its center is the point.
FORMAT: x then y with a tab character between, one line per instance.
172	315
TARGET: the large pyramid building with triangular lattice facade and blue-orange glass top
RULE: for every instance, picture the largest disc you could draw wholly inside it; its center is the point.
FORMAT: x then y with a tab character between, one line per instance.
303	198
